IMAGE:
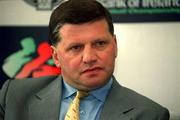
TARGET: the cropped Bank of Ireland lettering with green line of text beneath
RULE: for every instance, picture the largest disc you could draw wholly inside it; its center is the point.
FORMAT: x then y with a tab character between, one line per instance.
142	6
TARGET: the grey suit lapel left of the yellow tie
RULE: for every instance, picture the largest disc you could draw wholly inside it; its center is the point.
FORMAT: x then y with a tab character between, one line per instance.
45	105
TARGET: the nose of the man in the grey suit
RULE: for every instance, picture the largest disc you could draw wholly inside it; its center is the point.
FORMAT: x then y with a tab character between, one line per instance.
89	55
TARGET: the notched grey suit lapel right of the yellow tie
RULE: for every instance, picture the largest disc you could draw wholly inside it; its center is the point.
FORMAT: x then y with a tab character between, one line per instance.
116	105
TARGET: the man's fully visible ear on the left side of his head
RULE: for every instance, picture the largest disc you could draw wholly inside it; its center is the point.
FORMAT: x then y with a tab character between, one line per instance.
55	56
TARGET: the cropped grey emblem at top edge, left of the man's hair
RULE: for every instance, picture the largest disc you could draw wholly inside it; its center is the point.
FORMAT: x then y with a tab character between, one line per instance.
43	4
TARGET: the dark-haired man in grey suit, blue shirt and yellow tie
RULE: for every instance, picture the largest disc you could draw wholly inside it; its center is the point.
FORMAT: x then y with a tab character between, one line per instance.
84	47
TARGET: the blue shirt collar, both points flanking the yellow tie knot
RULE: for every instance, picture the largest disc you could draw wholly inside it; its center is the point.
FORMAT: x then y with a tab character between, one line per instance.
99	93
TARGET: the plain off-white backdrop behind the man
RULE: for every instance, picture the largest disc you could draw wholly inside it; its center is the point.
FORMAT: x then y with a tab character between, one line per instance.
148	56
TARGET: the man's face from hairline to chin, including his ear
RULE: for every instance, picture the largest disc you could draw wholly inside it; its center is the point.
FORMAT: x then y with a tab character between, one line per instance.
86	54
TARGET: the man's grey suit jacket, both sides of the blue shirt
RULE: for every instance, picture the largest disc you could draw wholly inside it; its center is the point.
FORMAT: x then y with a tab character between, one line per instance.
39	99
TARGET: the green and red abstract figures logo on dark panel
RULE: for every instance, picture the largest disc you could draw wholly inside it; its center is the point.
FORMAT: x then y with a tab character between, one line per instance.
30	60
